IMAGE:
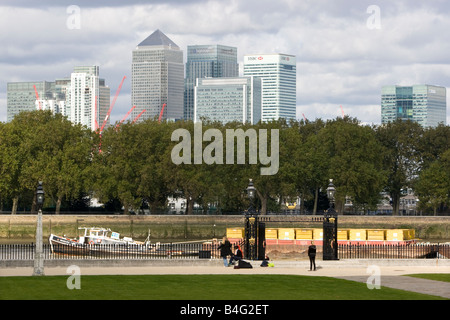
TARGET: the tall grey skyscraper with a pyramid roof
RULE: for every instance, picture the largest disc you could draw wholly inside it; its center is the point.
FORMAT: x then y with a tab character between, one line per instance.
157	78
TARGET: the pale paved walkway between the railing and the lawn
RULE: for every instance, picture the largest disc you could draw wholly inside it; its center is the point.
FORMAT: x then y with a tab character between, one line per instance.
389	275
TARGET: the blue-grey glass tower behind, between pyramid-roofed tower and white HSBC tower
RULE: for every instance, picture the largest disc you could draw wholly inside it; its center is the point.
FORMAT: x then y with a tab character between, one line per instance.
207	61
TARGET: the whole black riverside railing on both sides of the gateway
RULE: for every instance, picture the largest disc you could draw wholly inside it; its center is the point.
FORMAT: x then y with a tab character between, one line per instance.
209	251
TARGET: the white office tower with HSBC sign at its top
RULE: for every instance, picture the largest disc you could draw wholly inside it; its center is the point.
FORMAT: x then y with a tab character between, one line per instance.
279	80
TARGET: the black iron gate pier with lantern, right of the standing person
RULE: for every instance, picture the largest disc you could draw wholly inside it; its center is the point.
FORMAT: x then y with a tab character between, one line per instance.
330	248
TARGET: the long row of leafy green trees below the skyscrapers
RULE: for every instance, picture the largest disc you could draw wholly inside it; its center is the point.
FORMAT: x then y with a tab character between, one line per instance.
132	165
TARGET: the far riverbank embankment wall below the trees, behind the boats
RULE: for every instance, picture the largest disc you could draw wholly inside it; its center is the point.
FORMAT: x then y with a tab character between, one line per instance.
22	227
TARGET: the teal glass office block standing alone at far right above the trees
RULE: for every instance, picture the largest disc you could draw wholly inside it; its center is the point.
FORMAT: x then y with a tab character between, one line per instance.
425	104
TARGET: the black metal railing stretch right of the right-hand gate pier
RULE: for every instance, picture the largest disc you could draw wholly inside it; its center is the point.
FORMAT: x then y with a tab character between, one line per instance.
394	251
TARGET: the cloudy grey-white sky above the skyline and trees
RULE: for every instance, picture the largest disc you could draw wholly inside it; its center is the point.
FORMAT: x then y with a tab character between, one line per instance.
346	50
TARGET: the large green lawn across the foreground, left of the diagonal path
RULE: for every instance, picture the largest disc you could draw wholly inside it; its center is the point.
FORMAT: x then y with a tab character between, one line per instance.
197	287
